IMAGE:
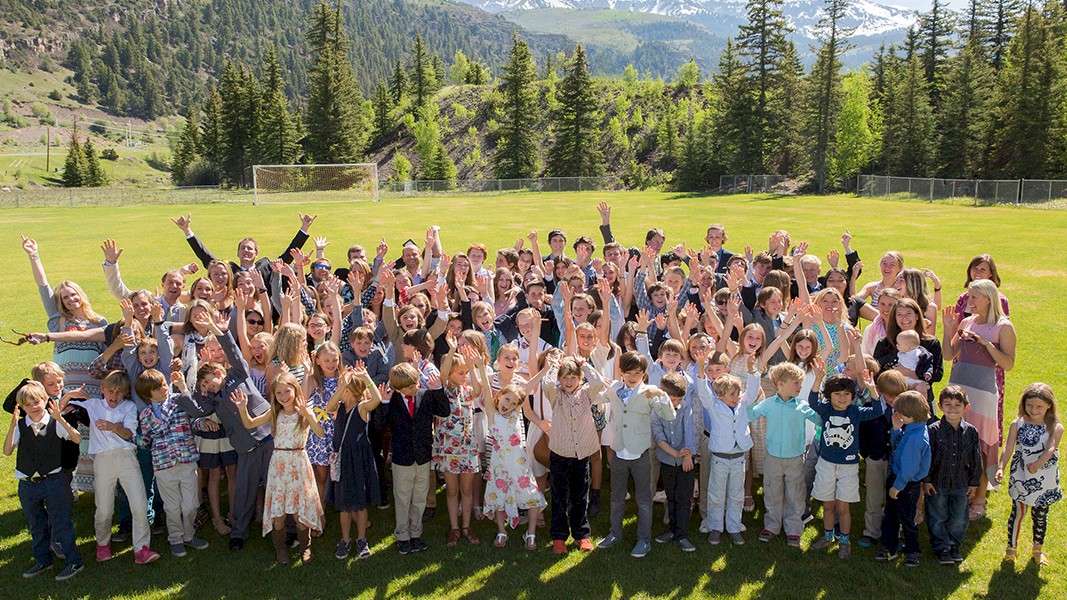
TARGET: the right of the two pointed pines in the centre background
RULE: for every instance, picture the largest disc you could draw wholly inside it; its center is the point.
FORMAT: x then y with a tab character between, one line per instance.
576	153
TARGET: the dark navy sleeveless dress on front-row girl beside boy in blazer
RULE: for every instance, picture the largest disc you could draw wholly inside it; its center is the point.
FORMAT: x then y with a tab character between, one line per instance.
358	487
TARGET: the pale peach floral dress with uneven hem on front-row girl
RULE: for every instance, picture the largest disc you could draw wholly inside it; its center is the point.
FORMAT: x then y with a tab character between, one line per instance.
291	482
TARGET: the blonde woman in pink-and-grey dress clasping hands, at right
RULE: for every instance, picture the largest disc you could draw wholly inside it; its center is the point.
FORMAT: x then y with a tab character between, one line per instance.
978	345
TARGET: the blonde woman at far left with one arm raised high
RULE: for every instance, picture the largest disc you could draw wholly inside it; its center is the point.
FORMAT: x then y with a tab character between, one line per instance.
69	310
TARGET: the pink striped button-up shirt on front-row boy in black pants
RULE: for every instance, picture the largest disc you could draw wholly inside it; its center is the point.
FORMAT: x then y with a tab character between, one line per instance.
574	431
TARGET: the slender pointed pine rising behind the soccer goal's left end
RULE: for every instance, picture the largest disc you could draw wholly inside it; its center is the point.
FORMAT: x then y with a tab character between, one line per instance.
279	137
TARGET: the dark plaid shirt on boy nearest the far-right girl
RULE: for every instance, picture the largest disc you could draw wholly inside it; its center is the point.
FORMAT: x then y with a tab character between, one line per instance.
957	461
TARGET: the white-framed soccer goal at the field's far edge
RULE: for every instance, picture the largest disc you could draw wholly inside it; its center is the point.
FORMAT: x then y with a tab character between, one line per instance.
289	184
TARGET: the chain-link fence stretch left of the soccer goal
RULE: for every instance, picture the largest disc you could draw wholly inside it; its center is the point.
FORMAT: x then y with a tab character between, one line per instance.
29	198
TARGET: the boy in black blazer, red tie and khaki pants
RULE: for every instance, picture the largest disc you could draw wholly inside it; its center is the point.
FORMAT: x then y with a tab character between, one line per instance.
411	413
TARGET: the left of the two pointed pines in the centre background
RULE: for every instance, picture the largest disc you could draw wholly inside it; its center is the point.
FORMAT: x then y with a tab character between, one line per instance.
517	153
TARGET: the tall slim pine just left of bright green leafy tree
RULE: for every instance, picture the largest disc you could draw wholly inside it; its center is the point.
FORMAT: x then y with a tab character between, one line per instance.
825	88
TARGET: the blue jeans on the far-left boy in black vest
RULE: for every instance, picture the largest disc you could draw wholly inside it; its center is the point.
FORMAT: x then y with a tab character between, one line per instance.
47	506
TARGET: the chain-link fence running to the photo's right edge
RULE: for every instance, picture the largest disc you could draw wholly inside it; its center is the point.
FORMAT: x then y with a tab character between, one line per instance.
1042	194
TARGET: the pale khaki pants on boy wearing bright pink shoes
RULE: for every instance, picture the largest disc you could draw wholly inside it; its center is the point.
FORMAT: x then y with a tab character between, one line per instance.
121	468
